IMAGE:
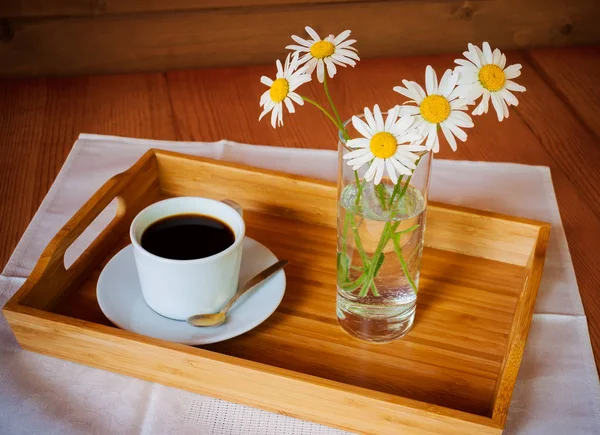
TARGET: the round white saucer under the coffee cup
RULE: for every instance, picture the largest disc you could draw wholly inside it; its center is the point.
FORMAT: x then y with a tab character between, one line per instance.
120	299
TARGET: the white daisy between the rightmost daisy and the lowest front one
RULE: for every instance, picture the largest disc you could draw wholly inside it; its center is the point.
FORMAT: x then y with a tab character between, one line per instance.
439	106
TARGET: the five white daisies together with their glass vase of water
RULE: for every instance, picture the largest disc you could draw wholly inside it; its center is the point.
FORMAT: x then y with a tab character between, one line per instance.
384	168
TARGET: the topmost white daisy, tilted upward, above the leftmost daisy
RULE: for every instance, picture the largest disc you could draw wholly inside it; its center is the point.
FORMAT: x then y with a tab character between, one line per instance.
325	53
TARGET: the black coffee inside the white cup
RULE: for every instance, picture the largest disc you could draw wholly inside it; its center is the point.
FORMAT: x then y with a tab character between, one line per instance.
187	237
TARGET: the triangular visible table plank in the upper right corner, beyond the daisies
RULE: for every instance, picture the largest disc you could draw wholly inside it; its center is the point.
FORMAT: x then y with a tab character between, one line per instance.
573	76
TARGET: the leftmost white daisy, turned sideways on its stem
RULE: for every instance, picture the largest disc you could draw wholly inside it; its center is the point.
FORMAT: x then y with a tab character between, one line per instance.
281	90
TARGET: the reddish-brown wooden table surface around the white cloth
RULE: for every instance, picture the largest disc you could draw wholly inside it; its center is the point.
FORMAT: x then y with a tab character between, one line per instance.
557	124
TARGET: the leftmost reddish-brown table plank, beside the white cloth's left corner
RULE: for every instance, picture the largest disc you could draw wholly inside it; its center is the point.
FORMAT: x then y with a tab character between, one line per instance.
41	119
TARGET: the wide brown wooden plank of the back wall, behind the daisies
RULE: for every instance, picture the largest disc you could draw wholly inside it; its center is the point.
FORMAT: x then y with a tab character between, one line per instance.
235	36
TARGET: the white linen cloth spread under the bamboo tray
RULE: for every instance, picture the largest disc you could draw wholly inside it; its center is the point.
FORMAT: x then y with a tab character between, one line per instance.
557	391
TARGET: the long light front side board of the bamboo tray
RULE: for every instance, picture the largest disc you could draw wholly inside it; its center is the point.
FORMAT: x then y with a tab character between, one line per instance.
205	372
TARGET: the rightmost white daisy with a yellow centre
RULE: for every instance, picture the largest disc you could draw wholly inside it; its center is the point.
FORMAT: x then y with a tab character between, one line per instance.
484	73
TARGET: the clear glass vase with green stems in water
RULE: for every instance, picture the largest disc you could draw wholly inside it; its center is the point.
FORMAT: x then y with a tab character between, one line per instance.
380	233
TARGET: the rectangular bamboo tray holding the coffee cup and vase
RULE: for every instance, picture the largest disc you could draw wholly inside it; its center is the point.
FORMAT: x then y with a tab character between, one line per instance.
454	373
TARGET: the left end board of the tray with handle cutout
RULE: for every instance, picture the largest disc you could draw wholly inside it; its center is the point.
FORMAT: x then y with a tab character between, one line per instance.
130	188
